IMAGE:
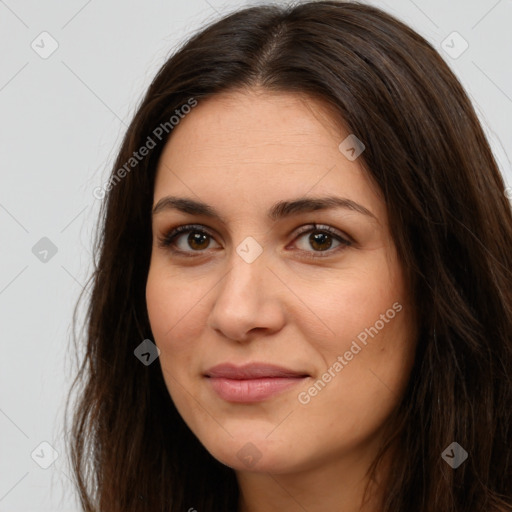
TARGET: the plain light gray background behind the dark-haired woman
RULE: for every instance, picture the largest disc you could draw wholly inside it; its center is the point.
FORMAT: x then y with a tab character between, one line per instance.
62	119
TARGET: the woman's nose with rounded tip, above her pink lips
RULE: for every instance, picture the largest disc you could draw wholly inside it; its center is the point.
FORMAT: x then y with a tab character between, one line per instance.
247	303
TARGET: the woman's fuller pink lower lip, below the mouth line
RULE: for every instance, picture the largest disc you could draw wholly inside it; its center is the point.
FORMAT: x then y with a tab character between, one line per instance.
252	390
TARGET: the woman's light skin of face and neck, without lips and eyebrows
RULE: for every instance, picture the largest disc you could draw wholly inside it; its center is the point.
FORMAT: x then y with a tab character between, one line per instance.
299	304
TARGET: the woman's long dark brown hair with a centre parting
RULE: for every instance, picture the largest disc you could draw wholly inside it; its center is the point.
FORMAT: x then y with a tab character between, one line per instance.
449	218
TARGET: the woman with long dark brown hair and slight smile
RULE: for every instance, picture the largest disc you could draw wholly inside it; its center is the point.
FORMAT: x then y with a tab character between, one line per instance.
302	299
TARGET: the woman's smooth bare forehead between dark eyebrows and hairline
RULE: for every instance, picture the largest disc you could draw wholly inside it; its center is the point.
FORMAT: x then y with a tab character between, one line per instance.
254	146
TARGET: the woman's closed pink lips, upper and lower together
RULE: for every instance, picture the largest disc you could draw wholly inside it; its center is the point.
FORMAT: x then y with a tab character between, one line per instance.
253	382
